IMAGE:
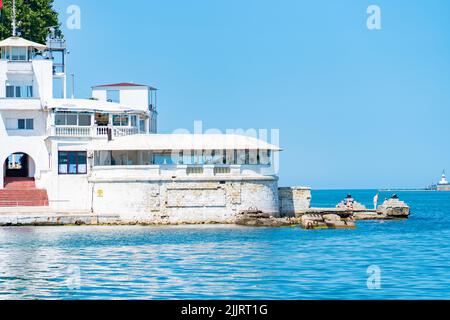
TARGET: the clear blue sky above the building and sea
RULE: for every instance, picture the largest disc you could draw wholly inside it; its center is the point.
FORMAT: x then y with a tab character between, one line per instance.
355	108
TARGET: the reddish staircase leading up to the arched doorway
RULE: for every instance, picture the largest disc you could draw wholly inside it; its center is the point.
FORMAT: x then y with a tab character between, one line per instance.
22	192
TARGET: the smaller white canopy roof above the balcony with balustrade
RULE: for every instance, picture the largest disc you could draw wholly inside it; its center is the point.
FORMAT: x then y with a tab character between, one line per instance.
87	105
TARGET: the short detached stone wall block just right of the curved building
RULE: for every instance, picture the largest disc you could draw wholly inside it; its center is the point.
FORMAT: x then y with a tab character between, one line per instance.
294	200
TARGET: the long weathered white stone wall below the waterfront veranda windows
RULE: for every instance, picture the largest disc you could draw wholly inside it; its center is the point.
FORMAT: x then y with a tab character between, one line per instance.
184	201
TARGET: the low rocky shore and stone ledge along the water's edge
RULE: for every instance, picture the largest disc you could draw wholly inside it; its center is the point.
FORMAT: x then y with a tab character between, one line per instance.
344	216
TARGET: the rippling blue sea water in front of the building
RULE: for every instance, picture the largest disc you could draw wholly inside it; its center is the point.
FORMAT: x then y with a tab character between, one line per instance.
227	262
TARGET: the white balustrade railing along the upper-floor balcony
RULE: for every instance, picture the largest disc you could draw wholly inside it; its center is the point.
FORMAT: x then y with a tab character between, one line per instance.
92	132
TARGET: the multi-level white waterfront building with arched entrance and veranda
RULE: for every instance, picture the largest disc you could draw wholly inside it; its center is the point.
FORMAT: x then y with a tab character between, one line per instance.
104	156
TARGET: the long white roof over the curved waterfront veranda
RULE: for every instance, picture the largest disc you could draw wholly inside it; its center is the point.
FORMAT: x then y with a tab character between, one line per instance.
162	142
